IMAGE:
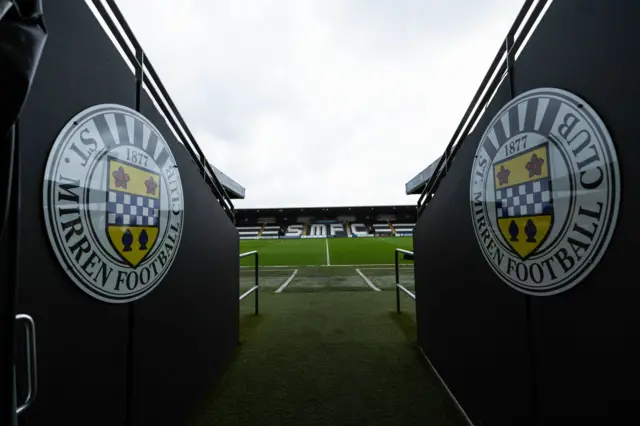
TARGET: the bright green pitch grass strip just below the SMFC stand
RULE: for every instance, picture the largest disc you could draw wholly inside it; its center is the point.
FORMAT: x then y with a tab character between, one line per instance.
313	251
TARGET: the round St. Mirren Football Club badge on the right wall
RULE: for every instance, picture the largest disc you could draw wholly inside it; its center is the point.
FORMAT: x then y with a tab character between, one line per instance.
545	191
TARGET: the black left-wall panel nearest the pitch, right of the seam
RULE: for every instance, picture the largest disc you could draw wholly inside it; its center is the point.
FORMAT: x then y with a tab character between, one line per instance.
187	328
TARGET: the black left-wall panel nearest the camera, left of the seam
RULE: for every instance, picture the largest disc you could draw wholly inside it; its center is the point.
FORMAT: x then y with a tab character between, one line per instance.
81	342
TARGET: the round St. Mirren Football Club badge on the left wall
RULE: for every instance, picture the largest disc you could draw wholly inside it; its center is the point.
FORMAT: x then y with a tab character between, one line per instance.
113	203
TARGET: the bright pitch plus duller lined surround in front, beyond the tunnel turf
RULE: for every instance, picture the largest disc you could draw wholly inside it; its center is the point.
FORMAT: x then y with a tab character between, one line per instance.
326	264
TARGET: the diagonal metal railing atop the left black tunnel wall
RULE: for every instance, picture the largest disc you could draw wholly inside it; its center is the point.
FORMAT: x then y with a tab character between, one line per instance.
147	77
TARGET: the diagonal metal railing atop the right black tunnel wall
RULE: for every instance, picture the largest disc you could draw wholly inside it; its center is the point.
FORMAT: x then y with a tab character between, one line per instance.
500	69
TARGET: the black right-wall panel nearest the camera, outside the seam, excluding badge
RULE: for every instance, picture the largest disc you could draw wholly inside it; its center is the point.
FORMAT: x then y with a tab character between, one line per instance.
586	338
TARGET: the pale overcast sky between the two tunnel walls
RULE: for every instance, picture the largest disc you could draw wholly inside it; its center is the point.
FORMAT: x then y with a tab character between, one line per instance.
321	102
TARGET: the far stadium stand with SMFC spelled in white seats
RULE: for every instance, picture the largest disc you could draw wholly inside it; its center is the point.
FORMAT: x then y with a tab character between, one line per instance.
329	222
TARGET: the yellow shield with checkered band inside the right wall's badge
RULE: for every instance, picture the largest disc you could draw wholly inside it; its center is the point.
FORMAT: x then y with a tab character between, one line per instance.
524	204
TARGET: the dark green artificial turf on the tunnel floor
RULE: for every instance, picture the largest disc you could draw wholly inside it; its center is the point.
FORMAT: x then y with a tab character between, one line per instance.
328	358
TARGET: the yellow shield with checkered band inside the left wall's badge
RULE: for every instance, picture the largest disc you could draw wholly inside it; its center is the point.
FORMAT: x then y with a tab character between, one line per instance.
133	203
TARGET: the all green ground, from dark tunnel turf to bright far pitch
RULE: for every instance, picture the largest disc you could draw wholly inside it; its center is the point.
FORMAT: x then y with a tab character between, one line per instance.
329	349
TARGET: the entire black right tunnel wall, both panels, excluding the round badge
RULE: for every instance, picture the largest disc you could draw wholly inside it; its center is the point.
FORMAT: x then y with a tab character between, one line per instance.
583	351
